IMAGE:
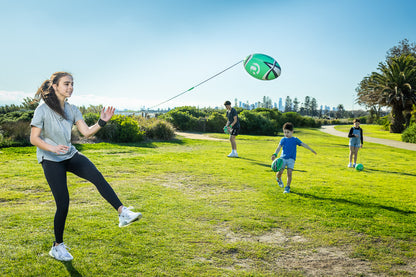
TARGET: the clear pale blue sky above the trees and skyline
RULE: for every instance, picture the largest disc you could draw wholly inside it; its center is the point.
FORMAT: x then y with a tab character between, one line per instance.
131	54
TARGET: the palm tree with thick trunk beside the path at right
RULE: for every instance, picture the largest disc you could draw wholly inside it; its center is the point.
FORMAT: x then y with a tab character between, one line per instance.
396	87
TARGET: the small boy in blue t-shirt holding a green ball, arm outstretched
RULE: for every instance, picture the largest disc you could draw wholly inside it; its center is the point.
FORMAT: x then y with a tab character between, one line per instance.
289	144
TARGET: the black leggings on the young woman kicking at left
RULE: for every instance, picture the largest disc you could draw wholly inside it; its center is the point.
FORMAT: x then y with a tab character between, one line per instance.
55	173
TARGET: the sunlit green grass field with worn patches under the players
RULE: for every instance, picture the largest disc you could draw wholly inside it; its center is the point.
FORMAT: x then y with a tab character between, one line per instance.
207	215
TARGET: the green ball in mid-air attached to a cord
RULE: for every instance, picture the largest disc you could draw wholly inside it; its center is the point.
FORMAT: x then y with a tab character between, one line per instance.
262	67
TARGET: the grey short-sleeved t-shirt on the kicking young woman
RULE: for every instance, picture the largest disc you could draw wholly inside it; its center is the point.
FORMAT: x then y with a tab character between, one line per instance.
55	130
